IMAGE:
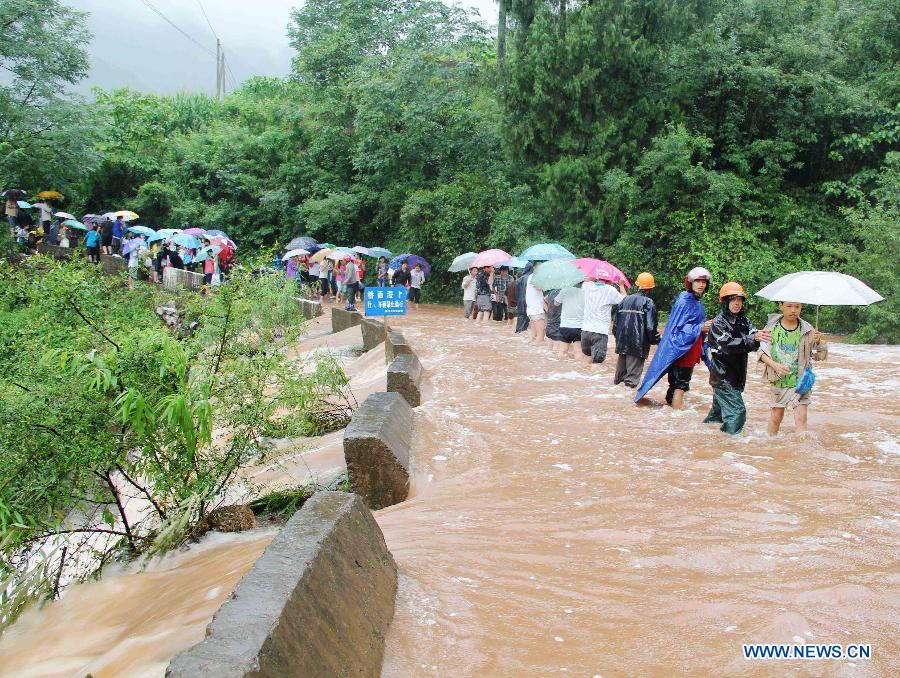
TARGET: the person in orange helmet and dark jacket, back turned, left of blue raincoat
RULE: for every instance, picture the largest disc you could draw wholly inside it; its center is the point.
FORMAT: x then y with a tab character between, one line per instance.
637	327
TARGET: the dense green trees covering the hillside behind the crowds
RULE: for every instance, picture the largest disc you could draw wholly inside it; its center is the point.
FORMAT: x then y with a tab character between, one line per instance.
751	136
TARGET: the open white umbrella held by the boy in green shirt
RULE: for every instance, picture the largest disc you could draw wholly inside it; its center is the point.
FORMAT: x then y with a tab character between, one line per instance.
822	288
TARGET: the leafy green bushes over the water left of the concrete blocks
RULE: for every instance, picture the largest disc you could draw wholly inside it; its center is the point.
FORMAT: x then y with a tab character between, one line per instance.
118	434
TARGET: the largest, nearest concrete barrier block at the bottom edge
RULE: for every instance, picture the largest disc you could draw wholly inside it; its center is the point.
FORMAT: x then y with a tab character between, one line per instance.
318	602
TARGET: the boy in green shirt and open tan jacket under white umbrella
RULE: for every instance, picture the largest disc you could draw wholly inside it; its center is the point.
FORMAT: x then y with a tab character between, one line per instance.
787	354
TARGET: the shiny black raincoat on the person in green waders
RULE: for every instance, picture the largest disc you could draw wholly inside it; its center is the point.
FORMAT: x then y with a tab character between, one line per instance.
729	341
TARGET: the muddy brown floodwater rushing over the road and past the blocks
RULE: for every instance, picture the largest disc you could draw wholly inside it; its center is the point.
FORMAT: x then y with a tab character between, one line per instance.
554	528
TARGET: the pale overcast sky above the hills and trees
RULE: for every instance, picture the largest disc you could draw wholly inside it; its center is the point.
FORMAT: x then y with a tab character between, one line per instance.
135	47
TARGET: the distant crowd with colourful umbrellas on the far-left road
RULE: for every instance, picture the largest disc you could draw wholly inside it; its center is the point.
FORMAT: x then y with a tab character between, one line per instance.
206	251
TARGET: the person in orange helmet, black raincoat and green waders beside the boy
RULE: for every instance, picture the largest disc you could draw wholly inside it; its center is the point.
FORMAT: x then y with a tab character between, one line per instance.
730	339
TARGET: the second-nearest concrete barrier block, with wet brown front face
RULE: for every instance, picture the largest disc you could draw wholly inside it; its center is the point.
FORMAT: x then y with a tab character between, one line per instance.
376	449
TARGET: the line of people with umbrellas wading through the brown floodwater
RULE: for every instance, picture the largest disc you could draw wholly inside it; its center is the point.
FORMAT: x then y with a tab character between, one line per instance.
582	301
